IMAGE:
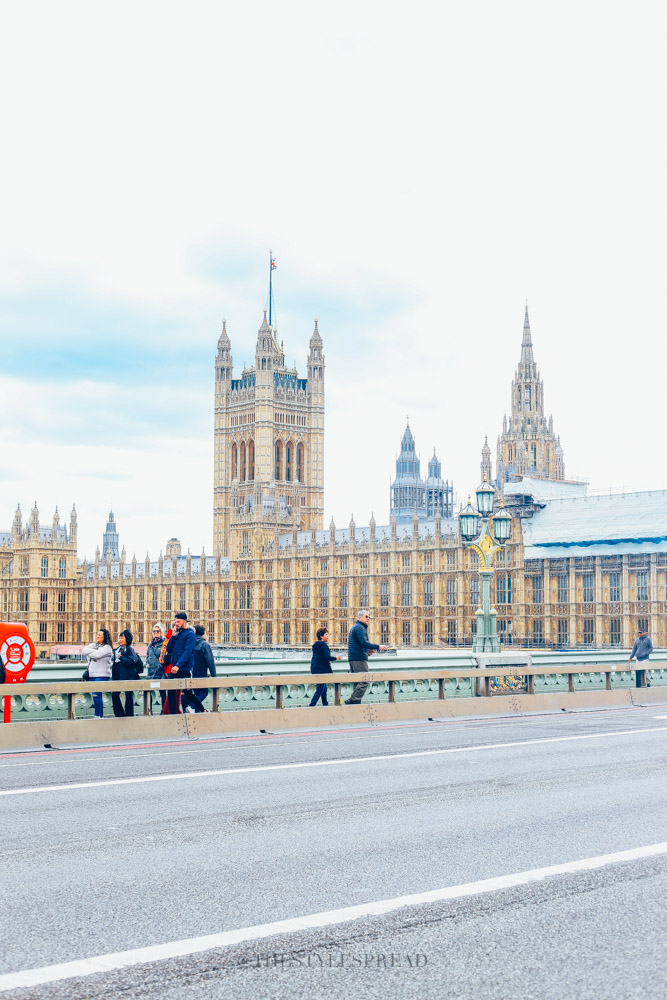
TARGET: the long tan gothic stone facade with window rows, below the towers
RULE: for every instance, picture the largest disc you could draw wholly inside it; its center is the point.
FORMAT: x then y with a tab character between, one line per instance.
420	583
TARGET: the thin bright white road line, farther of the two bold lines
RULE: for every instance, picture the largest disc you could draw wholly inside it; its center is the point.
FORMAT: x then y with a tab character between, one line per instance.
322	763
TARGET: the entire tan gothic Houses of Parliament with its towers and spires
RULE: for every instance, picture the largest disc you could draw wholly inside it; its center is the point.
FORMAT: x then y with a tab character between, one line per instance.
578	570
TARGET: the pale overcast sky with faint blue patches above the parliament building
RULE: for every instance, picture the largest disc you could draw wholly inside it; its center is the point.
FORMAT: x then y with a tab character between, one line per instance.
419	171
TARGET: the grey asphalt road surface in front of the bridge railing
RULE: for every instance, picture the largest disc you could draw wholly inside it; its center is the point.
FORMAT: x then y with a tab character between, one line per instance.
115	848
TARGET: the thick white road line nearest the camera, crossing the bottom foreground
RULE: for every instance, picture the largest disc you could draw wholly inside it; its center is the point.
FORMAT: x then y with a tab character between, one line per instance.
225	939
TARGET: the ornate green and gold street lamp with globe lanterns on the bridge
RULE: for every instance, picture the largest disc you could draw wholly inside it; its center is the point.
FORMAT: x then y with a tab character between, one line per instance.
495	531
